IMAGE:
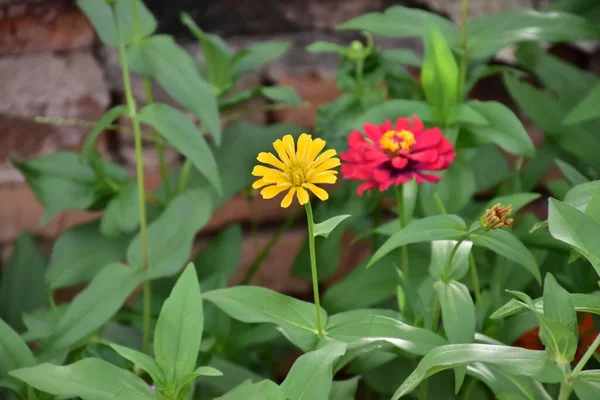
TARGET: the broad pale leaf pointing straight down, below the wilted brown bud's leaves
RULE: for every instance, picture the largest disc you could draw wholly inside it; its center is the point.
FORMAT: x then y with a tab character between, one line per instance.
458	311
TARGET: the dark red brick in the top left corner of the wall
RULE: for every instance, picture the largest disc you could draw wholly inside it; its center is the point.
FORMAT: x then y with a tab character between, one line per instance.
43	27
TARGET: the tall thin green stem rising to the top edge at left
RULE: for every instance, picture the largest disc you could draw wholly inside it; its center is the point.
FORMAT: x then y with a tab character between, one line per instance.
139	161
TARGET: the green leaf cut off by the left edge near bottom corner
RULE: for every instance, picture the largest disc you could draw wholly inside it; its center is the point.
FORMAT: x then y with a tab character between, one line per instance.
14	354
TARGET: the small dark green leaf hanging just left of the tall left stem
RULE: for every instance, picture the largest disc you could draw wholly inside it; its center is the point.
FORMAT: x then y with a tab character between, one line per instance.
122	212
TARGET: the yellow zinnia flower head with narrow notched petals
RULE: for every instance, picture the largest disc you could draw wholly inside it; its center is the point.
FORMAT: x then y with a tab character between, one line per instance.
296	169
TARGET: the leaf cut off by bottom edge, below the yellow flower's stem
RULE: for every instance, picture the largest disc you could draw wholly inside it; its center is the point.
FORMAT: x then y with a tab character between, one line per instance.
311	375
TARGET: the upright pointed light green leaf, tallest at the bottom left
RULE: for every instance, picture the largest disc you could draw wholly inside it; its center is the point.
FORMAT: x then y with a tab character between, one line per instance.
179	328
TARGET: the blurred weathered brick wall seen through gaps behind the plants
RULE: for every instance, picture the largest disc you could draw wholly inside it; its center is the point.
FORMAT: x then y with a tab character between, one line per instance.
52	65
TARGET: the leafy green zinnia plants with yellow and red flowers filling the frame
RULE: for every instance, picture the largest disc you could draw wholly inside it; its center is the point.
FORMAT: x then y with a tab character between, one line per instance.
452	286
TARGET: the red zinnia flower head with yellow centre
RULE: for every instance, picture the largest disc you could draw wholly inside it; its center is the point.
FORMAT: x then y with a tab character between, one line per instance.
392	156
